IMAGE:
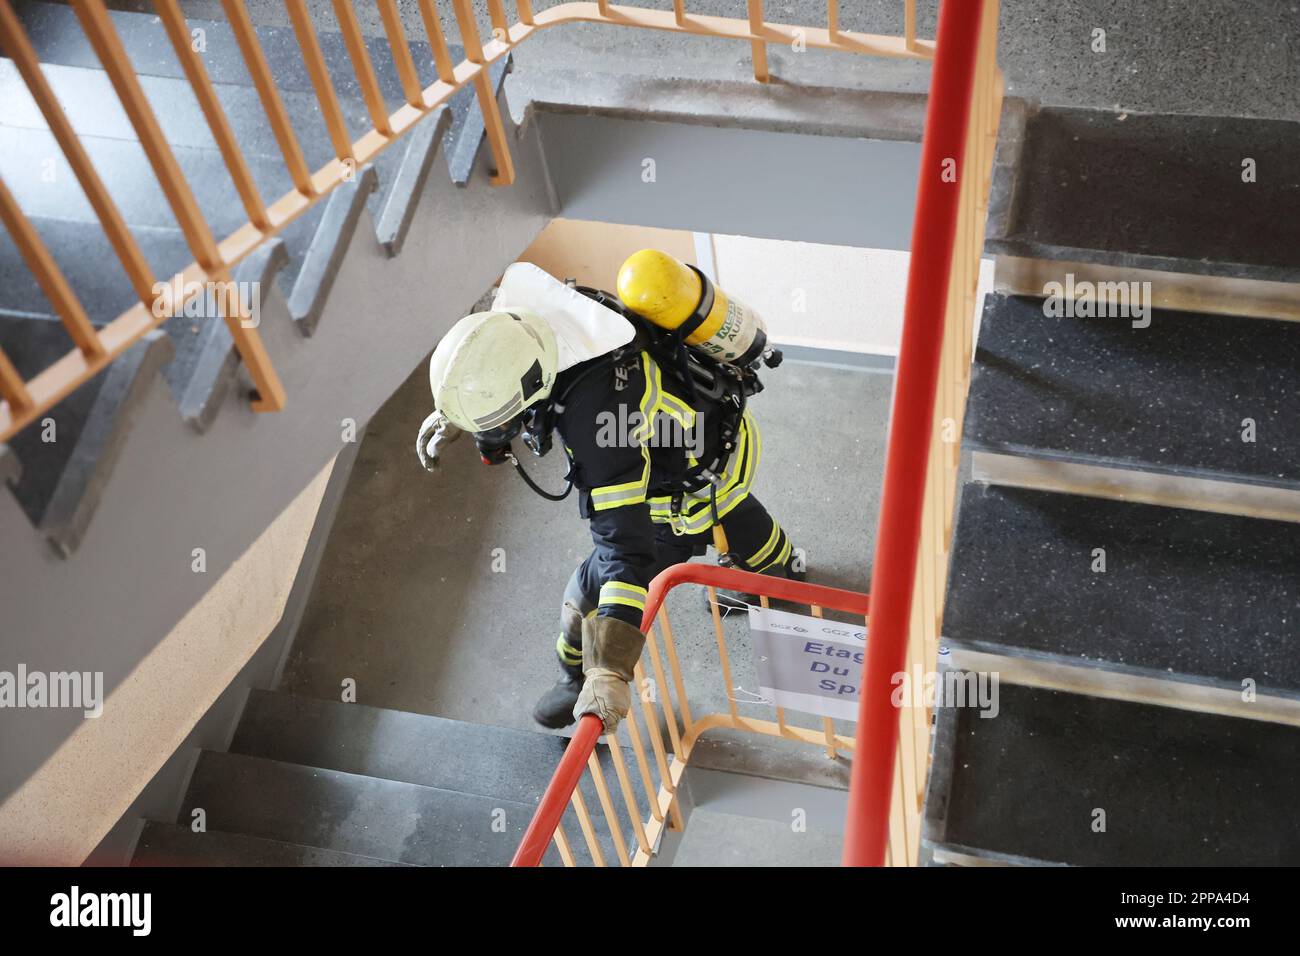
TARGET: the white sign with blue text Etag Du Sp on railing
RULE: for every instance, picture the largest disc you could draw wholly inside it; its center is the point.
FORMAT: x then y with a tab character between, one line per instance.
808	664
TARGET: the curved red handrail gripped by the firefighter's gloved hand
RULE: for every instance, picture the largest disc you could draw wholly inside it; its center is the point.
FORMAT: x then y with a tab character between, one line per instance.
551	811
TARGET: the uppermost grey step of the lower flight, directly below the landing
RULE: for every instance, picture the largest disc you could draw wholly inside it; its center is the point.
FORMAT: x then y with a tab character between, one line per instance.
418	749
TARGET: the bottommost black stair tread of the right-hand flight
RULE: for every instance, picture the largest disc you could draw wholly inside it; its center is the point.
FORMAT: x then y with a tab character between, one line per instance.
1177	788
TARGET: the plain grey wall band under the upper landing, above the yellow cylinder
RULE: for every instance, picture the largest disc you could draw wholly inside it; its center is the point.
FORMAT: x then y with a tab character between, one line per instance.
848	192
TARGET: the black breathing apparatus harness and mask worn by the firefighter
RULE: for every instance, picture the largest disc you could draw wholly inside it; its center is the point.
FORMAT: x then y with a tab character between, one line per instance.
726	384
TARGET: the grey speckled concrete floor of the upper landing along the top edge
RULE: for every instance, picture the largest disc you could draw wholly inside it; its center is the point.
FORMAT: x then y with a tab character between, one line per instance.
1221	58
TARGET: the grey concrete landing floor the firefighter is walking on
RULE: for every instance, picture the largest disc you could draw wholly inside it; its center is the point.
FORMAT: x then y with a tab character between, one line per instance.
408	603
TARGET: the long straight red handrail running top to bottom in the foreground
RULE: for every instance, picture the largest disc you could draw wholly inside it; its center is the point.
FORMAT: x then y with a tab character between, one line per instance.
903	498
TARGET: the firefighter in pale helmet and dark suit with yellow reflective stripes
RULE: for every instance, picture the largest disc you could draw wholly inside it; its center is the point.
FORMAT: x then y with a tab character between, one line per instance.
661	451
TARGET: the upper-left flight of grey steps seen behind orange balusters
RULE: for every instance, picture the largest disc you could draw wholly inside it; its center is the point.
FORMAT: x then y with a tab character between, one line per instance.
62	481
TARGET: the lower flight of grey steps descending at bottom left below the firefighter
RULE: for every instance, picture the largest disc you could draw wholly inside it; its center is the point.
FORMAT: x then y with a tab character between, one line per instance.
313	782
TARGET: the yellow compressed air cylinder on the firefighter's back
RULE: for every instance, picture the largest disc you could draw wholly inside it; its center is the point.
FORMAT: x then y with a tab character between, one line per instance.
671	295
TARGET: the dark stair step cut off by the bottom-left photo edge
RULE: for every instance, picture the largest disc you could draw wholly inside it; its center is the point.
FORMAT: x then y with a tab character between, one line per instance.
175	845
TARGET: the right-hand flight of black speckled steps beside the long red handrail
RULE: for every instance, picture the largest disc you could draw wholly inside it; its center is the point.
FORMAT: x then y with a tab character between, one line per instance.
1126	555
